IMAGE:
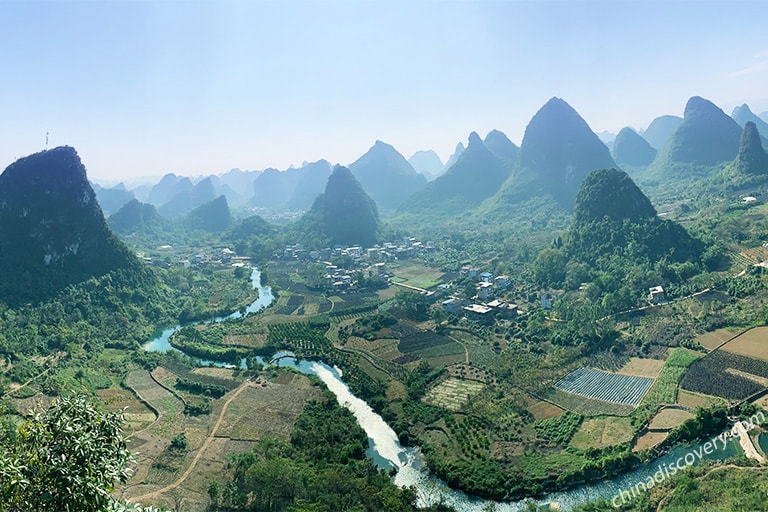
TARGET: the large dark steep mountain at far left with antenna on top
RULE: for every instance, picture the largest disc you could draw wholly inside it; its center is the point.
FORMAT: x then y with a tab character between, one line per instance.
52	230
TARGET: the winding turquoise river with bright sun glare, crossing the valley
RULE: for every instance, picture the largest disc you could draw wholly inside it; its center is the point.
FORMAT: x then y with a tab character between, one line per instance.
386	451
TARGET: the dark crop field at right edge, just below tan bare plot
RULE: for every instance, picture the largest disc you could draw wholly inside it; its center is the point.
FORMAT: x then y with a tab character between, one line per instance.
710	375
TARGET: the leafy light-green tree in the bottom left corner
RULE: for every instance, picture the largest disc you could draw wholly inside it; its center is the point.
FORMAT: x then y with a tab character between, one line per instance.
65	458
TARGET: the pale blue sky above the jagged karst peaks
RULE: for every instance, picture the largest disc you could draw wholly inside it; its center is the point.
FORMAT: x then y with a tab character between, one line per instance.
143	88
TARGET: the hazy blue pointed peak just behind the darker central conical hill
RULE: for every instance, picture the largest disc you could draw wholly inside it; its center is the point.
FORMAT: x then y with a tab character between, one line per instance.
386	176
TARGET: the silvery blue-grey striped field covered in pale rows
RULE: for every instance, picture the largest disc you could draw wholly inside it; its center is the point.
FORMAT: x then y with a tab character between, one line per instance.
609	387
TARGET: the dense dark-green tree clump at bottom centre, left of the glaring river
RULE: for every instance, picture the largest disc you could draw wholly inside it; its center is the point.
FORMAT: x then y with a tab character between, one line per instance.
323	468
